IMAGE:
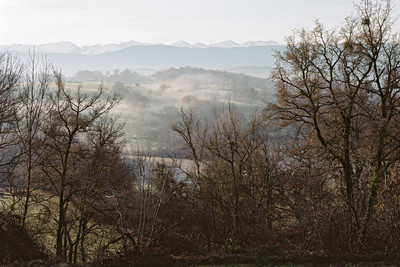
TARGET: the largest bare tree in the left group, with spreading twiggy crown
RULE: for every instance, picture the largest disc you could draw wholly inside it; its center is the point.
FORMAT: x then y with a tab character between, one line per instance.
72	116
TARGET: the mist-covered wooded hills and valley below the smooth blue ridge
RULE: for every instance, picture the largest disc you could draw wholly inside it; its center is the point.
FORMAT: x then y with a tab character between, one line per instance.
150	104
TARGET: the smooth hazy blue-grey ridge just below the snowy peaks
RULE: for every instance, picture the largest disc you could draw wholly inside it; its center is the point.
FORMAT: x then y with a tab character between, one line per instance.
157	57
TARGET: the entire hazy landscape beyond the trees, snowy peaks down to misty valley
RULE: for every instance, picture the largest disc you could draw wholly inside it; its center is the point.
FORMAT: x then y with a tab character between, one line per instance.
155	80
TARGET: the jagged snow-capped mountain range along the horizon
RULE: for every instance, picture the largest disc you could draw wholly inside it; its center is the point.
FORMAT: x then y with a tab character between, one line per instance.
68	47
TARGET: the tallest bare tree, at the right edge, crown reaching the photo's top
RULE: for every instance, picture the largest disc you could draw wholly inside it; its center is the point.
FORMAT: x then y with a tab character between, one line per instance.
340	89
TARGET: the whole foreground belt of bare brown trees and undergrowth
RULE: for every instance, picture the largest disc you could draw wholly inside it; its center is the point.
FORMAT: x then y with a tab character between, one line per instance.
317	170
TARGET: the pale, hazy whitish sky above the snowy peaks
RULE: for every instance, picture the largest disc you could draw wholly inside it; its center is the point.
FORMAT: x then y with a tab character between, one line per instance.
88	22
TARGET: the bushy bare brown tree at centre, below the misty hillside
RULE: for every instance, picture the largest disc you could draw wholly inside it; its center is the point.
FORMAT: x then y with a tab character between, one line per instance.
233	177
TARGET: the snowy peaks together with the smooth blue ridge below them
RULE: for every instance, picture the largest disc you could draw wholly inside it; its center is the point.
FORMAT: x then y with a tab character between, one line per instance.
253	58
